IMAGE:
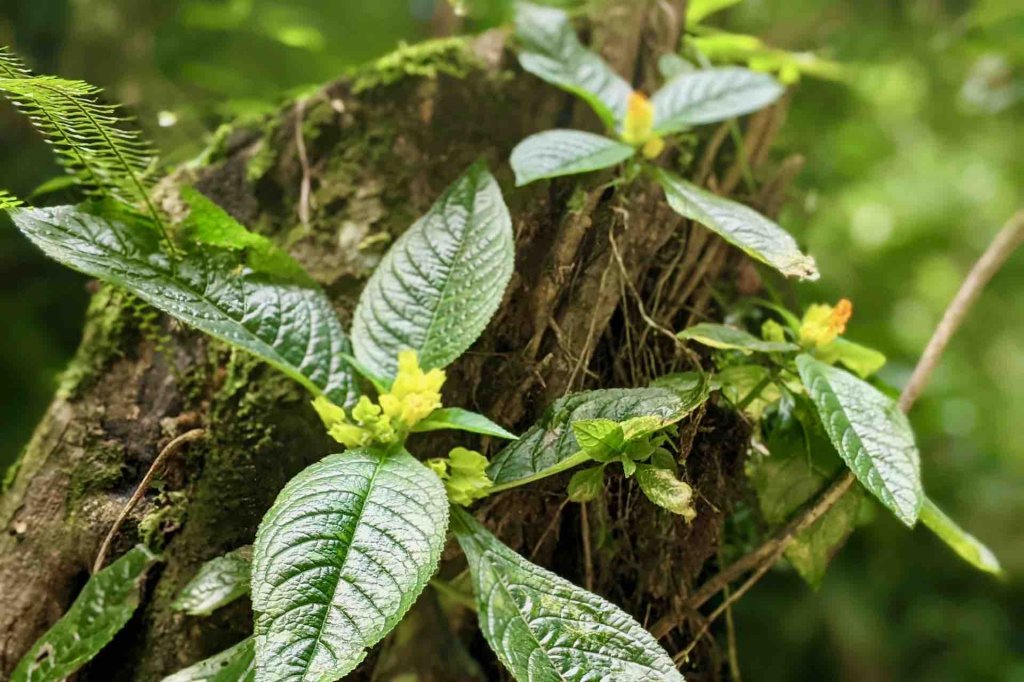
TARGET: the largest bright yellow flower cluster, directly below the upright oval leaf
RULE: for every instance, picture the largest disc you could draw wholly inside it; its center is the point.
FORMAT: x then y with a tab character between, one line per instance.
413	397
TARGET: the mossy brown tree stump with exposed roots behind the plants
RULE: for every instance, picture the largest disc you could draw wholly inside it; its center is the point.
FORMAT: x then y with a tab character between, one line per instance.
602	275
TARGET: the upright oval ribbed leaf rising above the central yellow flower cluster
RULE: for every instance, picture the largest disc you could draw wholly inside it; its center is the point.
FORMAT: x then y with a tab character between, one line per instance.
437	289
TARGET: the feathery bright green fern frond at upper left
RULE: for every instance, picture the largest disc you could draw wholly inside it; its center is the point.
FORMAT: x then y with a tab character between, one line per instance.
98	146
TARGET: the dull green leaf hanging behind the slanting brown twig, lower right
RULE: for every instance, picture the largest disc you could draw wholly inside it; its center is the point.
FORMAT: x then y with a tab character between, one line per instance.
801	464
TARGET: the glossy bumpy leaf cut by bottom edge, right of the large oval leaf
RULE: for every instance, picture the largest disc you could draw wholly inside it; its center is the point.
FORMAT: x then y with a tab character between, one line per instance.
542	627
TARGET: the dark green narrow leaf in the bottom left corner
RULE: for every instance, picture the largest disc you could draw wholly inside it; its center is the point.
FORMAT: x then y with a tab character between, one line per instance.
102	610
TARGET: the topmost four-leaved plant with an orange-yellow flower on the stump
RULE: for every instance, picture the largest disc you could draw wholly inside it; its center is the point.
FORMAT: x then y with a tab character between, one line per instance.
550	50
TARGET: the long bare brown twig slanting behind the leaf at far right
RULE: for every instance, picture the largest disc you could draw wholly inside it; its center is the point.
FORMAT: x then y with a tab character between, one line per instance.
1011	237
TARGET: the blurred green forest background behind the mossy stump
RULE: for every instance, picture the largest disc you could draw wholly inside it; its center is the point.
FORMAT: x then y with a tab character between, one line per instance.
914	162
